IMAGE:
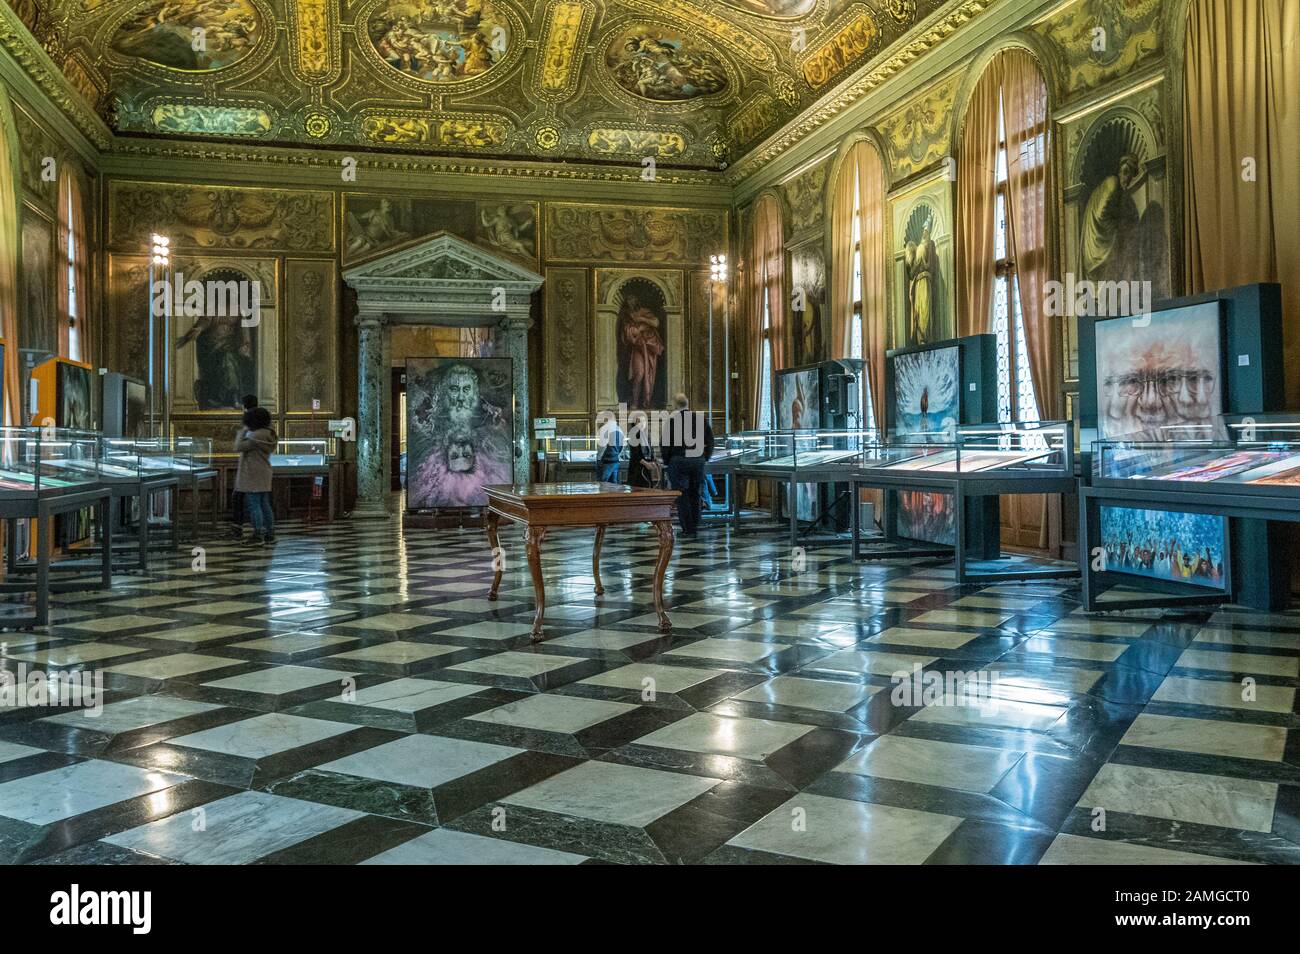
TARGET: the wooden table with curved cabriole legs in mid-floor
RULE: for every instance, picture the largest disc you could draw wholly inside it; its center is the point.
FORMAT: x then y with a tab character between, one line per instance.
543	506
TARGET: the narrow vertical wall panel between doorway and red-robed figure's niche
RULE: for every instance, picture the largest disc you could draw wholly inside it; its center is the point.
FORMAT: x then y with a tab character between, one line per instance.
567	337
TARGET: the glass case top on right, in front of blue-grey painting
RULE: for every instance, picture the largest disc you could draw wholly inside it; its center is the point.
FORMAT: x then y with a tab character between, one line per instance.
1013	450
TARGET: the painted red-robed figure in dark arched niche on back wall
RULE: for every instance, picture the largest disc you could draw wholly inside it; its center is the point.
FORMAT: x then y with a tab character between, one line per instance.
643	323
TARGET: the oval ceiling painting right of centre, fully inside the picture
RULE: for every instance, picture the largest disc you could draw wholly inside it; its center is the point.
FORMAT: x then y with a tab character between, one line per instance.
661	64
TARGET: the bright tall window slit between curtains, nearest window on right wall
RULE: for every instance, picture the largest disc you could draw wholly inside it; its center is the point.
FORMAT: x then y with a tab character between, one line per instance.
1016	400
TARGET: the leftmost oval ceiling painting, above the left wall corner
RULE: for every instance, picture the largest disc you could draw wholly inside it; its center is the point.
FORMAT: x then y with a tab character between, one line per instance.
198	36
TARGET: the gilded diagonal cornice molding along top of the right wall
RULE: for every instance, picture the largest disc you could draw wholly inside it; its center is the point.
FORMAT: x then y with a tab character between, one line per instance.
872	76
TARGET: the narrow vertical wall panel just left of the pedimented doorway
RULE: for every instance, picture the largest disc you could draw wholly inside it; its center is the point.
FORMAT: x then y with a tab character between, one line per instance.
311	336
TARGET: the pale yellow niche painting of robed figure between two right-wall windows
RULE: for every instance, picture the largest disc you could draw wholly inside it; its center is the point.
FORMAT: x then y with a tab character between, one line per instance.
922	242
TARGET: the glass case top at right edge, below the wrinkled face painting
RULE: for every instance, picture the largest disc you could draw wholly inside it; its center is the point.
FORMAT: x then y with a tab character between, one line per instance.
1255	456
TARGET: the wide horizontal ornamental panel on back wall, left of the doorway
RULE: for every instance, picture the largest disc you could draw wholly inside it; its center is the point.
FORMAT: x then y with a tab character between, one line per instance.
220	218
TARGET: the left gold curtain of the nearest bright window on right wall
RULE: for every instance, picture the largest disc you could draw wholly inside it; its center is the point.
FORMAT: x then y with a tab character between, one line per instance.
977	194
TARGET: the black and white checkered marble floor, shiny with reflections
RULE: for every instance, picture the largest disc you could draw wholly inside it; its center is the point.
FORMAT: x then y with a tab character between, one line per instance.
350	697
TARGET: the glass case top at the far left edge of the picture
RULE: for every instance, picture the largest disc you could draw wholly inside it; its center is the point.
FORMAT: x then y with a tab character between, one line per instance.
47	461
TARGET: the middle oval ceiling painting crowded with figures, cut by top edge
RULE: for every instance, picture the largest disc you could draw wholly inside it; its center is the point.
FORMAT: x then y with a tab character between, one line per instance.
440	41
